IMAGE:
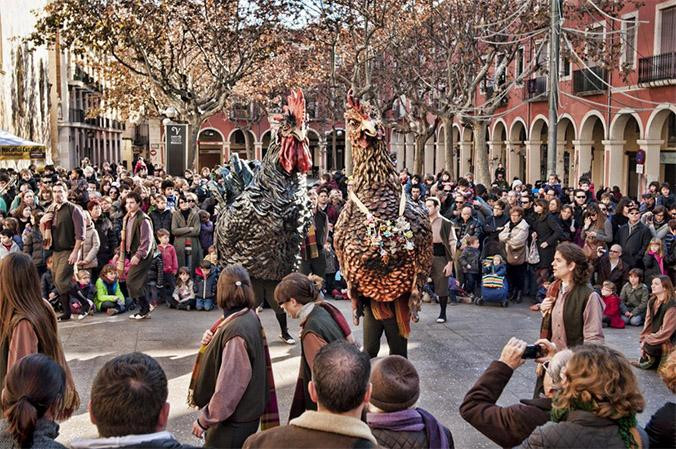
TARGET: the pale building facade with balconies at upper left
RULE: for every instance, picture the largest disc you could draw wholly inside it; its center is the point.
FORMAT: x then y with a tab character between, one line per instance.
51	96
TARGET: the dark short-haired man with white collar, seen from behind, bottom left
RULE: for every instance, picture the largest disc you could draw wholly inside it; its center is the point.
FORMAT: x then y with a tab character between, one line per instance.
128	405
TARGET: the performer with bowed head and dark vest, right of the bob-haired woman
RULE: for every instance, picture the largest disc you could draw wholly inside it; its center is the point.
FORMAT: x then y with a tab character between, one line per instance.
320	323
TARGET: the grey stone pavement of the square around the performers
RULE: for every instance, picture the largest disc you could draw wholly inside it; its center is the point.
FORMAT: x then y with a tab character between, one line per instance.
449	358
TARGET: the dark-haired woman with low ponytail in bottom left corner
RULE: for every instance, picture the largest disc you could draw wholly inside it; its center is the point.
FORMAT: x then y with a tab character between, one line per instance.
33	395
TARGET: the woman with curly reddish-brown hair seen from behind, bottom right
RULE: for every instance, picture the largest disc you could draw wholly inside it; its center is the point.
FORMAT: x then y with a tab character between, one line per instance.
597	404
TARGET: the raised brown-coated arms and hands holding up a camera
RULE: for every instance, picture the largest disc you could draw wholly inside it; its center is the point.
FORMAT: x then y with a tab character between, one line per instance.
509	426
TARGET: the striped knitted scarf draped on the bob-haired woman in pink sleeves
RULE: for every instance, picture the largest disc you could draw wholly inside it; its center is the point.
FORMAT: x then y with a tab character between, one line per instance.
270	416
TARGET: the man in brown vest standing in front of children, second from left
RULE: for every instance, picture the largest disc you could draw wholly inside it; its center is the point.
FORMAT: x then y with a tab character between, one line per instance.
139	248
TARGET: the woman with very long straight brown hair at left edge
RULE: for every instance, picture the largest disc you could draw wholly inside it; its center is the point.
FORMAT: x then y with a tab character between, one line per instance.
28	325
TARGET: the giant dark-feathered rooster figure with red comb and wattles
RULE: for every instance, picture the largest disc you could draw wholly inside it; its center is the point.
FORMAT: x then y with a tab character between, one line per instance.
264	227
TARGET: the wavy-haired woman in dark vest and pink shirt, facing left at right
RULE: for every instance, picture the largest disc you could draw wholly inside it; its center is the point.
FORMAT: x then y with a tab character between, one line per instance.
572	312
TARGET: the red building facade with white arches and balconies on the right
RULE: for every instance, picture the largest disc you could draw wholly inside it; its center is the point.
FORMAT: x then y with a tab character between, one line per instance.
603	120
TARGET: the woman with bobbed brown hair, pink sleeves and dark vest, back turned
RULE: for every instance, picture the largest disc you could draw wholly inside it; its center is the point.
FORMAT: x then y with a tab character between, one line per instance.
232	379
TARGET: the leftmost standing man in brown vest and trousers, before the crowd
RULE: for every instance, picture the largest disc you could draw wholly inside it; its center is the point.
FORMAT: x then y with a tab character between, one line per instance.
63	227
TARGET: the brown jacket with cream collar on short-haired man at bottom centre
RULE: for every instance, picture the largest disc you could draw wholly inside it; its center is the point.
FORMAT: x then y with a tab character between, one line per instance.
316	430
